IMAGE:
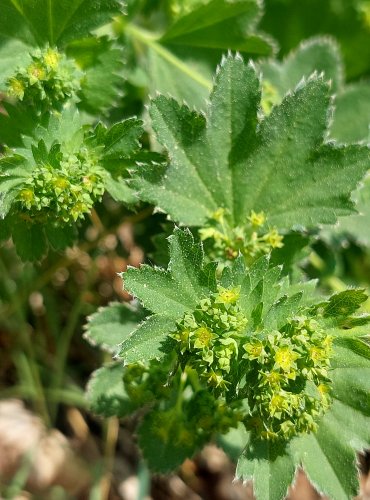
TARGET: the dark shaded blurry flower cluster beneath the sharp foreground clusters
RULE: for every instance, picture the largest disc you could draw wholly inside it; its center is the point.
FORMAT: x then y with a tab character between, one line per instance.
193	412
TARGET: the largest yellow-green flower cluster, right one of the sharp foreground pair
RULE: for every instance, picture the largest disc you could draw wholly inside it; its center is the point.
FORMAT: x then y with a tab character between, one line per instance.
288	379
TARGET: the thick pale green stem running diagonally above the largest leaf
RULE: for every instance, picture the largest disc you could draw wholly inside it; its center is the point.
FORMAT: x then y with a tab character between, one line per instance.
151	41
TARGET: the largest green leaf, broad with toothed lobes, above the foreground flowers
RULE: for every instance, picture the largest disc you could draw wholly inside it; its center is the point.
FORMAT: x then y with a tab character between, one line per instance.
224	159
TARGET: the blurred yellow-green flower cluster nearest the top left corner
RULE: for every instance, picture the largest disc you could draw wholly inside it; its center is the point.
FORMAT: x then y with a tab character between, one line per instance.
50	79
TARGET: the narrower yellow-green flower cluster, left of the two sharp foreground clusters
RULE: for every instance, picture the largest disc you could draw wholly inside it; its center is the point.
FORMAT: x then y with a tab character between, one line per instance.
209	336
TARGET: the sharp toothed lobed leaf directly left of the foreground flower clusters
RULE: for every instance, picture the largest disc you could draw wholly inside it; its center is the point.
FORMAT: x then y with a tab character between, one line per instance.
169	294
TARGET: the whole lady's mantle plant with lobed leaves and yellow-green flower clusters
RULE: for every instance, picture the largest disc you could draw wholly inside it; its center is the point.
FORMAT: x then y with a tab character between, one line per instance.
255	163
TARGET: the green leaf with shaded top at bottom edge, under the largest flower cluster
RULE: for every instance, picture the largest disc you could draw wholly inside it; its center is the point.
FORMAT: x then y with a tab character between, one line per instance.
269	466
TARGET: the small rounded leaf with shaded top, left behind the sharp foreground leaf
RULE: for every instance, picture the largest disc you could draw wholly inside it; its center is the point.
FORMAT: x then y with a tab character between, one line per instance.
111	325
